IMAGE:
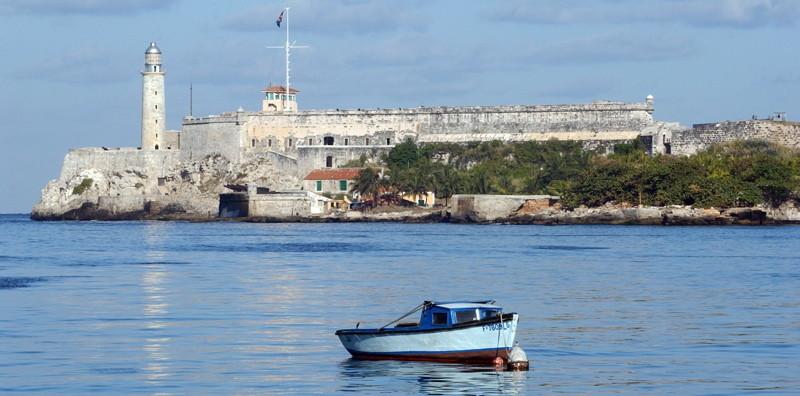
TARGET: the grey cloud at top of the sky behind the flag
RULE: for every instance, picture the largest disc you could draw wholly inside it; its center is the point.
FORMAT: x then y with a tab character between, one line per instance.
332	17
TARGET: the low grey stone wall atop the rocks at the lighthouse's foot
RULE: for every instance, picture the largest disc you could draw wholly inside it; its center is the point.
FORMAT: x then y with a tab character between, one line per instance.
155	163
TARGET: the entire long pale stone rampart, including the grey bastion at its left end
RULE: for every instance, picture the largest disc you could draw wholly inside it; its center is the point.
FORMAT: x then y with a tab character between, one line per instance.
289	132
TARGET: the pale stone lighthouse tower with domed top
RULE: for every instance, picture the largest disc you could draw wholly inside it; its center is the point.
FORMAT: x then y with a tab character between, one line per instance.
153	112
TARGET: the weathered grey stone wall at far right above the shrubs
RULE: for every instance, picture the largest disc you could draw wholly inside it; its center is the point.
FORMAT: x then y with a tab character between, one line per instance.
690	141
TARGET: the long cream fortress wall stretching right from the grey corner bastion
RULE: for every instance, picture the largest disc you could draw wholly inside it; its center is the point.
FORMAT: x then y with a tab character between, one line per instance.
464	123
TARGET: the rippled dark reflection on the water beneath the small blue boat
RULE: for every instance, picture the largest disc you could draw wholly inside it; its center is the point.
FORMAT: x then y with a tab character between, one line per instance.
428	378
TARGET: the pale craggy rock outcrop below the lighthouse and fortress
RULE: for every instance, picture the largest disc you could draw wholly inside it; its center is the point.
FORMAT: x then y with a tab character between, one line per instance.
187	190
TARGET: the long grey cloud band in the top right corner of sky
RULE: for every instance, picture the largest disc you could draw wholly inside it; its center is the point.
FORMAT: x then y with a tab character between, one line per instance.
698	13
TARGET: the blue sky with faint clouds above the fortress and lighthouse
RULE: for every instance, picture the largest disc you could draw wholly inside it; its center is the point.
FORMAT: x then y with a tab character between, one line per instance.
71	76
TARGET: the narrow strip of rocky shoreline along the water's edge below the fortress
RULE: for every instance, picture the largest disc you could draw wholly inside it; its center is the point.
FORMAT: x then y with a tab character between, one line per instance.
608	215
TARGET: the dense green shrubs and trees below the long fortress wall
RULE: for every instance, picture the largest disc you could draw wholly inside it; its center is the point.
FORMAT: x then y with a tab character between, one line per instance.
733	174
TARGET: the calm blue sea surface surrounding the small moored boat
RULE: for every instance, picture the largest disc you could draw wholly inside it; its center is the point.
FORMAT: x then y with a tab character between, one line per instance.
231	308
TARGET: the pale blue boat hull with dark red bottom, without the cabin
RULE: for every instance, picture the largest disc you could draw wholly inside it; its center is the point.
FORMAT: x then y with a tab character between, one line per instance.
482	340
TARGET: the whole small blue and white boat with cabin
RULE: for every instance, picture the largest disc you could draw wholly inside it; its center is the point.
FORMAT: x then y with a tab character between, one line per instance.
474	331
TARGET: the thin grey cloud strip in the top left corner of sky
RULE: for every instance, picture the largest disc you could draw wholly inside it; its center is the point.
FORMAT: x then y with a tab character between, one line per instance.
82	7
